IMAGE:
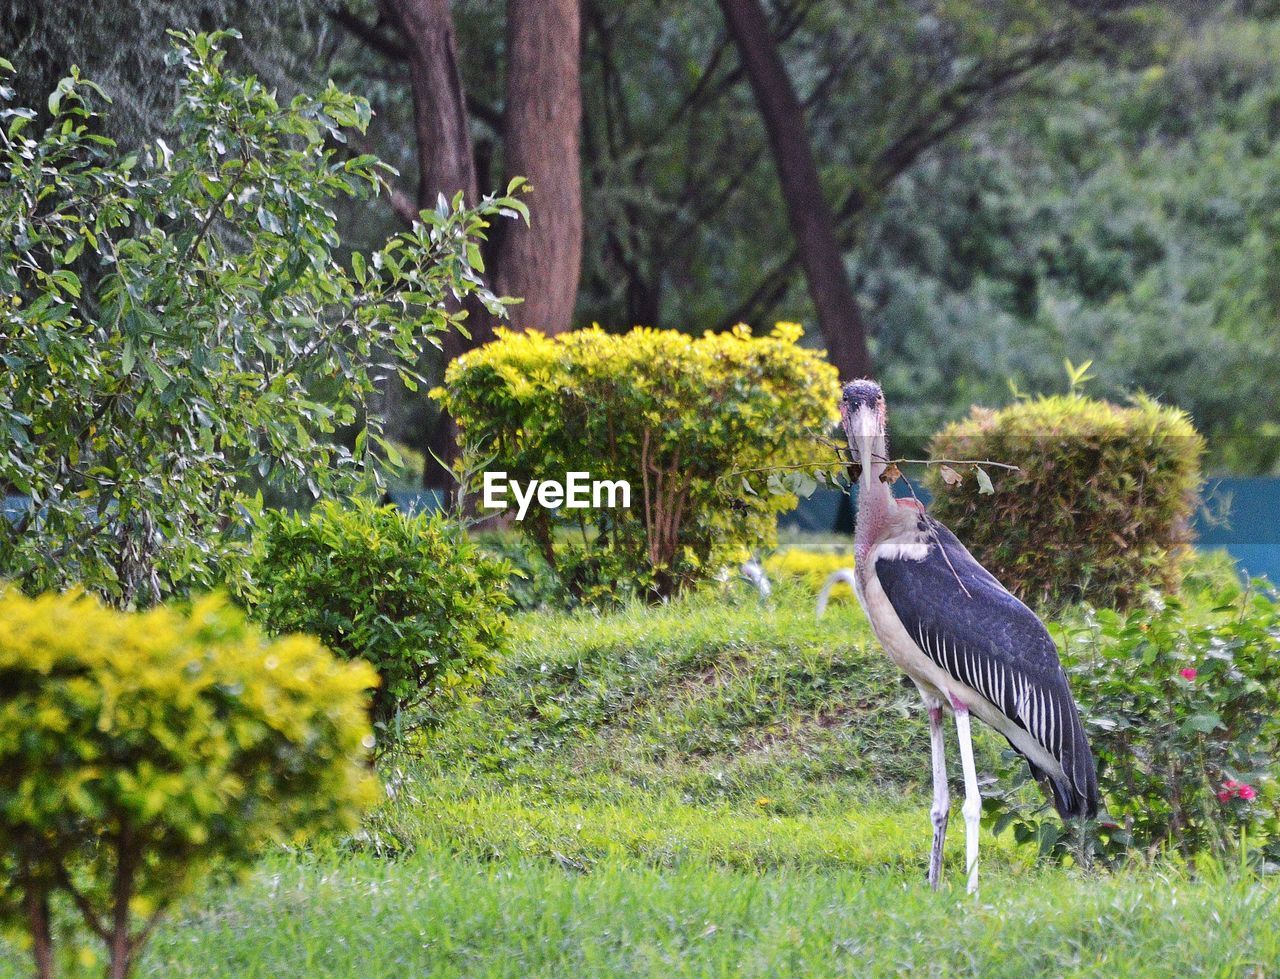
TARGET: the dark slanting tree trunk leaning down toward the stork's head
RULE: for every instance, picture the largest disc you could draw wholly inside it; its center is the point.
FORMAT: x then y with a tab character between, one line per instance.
808	212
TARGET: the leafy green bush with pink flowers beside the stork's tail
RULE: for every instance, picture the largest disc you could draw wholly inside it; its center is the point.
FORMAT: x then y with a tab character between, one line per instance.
1182	704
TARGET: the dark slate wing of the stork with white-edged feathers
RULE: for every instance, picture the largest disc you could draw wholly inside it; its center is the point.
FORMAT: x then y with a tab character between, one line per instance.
972	628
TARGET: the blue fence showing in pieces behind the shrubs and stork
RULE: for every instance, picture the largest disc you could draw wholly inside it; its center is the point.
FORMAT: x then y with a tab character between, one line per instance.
1241	516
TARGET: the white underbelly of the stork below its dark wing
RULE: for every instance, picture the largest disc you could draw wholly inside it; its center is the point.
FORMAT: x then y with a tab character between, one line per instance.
934	680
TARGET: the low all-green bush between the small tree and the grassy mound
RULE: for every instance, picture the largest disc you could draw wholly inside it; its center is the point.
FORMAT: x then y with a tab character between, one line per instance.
410	594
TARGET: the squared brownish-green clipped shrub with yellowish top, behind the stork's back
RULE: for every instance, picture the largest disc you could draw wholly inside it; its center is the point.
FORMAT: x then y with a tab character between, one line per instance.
1100	507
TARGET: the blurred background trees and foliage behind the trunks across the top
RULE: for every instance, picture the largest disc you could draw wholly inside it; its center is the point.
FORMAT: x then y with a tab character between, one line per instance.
1013	182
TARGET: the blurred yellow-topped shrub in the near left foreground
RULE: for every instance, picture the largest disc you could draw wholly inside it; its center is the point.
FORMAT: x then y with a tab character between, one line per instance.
138	749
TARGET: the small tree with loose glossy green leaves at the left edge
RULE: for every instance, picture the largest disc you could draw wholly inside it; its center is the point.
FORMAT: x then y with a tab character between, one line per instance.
176	321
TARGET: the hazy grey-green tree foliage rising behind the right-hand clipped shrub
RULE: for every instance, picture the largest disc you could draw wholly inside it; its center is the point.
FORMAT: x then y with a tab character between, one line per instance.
1130	221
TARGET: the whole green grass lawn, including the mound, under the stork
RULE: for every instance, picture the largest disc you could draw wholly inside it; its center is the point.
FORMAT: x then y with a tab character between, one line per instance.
716	788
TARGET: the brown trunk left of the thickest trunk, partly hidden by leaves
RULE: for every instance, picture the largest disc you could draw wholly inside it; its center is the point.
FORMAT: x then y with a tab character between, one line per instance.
446	164
